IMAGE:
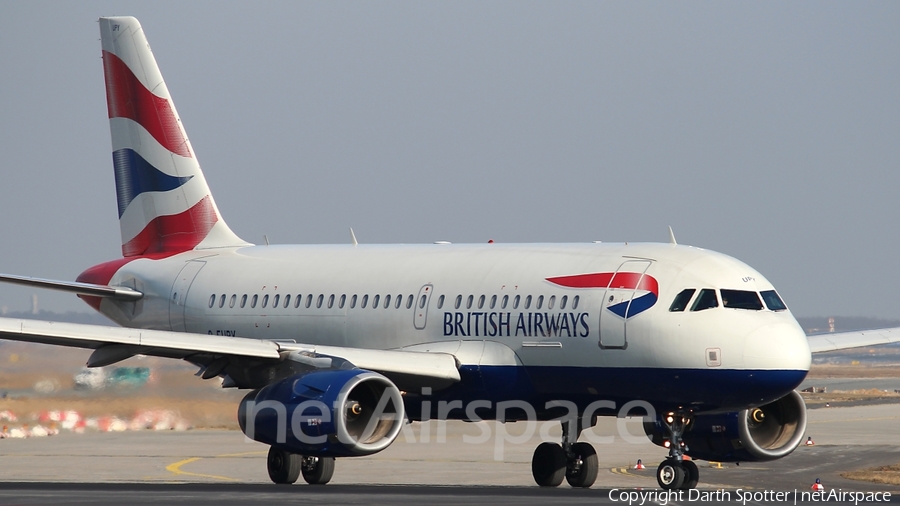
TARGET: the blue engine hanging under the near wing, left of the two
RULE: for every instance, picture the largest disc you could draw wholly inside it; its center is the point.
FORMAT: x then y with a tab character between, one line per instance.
331	413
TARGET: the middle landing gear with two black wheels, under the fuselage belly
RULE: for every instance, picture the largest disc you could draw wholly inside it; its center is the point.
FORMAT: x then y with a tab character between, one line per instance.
577	462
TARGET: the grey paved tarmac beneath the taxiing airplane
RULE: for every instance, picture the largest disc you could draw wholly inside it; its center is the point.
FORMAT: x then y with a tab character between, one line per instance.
448	466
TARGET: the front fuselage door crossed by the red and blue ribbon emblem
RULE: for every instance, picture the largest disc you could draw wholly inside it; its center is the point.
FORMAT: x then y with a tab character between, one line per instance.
616	303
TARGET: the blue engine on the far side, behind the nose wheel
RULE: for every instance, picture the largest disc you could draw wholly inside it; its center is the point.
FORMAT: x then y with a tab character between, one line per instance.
757	434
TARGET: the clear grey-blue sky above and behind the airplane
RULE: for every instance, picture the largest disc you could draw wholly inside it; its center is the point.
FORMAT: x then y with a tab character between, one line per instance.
769	131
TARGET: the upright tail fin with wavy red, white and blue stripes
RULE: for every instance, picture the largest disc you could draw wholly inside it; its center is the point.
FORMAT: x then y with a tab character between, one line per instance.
165	206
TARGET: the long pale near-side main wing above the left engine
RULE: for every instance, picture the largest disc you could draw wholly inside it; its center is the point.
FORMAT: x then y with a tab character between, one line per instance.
218	353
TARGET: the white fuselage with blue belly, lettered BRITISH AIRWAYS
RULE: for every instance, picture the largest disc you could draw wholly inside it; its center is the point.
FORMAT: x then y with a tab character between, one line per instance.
586	348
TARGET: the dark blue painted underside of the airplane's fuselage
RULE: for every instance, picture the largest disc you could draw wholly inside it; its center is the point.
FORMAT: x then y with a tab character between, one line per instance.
721	390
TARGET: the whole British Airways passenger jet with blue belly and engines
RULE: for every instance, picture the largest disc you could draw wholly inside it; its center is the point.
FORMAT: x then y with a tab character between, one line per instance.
355	340
